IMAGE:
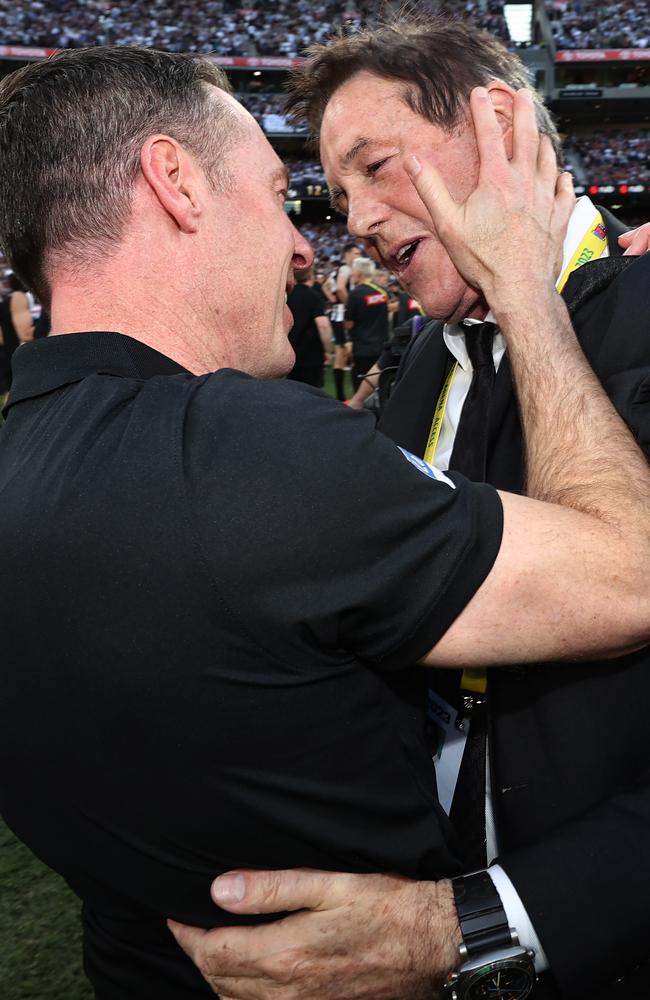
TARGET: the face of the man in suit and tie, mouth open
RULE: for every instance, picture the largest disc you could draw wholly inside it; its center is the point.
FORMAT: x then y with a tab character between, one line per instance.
367	131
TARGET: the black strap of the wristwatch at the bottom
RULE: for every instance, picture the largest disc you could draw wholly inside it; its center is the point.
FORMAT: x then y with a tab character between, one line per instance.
483	921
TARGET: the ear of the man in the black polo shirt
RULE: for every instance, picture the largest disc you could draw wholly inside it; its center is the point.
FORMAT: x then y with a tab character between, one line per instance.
174	180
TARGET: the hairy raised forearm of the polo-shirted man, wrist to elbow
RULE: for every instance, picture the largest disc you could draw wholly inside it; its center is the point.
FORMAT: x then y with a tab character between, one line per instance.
579	452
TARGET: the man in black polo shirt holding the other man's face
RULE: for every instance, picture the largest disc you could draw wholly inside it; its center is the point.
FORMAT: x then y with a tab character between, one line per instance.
211	682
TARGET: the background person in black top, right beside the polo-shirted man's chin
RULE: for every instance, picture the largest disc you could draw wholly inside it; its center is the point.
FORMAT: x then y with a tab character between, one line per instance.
311	333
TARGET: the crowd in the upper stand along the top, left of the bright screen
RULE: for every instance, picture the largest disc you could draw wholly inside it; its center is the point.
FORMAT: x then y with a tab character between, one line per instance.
221	27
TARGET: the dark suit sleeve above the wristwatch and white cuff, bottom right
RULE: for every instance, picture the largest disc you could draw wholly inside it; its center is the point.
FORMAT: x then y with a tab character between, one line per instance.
586	889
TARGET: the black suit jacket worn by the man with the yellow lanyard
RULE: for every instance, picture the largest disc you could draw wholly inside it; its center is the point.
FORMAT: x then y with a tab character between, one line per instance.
570	752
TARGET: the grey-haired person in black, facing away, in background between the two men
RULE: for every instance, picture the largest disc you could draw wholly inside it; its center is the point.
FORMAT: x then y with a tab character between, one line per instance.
366	318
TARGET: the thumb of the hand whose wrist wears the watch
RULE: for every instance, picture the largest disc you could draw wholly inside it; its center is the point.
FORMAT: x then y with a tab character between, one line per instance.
275	892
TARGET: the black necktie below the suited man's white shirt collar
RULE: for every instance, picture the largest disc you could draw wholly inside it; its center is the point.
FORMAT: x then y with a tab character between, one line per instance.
469	454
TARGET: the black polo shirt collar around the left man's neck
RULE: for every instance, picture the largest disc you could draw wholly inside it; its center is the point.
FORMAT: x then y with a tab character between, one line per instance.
44	365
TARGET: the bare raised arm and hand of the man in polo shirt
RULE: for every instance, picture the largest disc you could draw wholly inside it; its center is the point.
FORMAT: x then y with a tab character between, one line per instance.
591	538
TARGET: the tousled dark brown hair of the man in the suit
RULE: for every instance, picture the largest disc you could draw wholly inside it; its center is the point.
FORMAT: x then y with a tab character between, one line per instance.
439	61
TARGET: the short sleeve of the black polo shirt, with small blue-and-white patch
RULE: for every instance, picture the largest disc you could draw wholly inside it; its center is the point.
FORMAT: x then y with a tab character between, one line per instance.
322	534
